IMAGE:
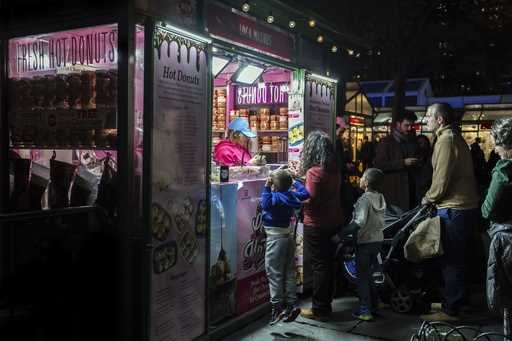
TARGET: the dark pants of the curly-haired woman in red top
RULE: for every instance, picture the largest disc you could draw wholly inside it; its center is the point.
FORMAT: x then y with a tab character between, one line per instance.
320	250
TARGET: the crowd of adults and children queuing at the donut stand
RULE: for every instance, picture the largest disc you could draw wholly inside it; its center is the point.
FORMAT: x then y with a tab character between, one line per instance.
406	171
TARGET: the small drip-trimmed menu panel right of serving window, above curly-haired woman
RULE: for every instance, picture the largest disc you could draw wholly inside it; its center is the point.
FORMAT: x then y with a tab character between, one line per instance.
320	105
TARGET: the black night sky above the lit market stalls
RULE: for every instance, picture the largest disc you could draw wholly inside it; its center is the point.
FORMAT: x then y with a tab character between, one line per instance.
463	46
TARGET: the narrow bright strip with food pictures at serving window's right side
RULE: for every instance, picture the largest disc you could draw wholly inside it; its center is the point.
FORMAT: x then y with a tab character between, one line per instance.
296	115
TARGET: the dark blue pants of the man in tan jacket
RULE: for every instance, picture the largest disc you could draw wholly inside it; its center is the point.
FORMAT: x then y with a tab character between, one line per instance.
457	229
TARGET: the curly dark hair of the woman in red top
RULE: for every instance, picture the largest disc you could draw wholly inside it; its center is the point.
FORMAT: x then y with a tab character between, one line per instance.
318	151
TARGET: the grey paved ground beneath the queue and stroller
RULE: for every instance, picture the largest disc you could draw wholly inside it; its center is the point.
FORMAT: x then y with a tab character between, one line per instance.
390	326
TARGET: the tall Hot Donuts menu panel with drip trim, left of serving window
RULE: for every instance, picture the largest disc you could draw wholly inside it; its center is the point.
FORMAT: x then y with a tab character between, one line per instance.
179	206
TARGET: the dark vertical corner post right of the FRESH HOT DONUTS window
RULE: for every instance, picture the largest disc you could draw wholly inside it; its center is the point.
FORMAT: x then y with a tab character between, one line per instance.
126	226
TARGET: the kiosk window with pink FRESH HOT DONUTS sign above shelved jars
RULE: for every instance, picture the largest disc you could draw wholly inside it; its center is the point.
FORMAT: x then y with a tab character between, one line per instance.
63	89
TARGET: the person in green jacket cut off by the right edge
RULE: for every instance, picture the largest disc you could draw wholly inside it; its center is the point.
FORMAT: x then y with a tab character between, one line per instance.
496	208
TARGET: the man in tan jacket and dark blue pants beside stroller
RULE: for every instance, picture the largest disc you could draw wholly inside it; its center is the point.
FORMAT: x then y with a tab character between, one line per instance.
454	193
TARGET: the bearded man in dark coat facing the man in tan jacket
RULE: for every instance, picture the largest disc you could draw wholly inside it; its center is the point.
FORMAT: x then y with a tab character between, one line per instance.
397	156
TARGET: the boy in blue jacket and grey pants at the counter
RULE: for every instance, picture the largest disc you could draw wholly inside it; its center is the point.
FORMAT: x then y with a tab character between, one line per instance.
280	198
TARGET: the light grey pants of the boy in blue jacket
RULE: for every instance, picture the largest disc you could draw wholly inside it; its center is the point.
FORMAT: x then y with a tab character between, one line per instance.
280	269
